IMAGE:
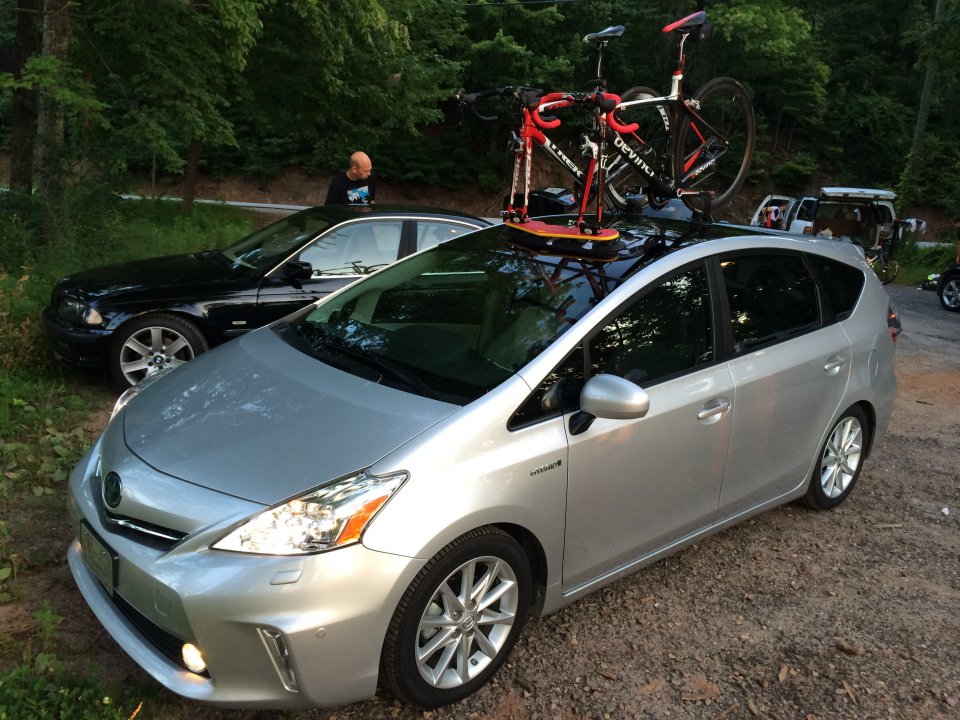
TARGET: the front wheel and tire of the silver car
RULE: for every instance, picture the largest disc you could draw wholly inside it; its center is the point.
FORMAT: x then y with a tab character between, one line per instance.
458	620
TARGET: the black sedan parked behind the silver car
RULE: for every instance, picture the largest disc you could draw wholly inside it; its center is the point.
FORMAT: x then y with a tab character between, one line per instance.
135	318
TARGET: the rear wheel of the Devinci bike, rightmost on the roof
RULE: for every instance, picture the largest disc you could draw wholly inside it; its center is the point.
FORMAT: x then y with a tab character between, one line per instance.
714	144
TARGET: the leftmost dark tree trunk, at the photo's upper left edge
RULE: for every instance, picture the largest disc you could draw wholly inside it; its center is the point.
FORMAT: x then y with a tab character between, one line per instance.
23	120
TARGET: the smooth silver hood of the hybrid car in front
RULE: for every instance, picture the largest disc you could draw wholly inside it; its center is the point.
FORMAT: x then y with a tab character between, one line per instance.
260	420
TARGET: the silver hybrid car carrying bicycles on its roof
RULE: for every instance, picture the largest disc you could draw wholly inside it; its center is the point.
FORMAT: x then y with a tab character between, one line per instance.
380	488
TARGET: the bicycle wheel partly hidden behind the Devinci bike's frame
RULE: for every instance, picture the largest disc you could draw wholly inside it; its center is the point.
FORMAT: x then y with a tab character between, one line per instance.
650	142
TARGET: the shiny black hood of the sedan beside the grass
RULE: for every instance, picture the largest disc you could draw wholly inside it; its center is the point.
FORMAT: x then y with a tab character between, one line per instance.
158	276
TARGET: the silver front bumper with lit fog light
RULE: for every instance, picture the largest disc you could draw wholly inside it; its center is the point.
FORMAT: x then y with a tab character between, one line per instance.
278	632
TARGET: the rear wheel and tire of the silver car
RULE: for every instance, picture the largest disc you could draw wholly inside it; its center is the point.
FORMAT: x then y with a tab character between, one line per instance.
841	459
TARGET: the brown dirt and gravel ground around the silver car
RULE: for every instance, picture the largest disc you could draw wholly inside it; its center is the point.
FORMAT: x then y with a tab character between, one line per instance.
853	613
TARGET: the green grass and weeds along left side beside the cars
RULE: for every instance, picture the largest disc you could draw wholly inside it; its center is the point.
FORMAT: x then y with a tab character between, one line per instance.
43	412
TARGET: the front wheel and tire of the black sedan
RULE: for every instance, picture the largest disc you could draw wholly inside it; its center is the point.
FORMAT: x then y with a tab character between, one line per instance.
150	343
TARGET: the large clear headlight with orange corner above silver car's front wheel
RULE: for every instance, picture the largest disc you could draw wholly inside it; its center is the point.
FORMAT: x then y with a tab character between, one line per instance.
327	518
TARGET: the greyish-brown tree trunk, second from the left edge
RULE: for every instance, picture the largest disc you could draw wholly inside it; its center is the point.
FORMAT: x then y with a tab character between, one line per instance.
50	137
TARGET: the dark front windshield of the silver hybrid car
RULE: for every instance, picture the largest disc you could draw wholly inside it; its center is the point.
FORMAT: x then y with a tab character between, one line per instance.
455	321
